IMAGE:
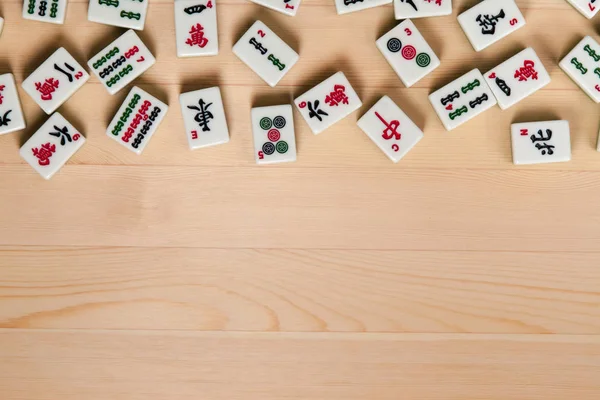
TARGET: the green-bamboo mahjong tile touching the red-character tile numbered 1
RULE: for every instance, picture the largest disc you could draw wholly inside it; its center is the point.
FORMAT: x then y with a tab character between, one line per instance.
462	99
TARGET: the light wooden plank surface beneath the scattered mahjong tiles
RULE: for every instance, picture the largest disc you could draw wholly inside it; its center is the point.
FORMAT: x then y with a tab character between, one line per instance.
198	275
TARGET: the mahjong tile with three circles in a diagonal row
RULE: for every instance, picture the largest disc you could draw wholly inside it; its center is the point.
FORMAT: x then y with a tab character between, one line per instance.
408	53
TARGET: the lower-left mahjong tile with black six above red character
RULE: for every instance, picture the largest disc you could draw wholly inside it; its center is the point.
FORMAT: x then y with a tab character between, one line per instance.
52	146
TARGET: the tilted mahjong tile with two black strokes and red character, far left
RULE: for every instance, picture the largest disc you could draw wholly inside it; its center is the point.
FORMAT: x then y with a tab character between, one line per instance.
57	79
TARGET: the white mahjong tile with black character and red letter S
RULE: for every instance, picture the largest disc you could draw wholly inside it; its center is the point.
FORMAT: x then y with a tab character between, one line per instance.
489	21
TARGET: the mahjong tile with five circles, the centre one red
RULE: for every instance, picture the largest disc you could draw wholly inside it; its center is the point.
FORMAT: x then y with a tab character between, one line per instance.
274	137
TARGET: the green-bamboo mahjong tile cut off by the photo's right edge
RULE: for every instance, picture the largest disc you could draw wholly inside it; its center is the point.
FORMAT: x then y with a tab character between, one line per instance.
582	65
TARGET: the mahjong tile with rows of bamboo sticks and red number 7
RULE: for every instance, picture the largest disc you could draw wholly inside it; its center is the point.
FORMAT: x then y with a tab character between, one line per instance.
119	63
